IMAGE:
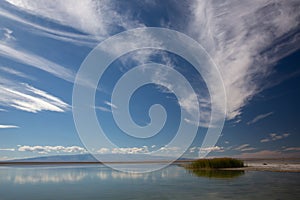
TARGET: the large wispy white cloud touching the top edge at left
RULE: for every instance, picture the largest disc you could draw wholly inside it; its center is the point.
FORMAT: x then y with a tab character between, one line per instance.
97	19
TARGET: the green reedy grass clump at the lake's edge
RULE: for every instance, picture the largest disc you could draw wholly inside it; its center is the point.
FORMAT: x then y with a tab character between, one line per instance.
216	163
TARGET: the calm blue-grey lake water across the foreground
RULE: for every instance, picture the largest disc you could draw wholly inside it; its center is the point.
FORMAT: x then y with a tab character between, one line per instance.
99	182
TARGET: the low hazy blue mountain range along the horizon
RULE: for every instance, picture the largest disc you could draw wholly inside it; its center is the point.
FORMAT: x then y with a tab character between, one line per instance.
102	157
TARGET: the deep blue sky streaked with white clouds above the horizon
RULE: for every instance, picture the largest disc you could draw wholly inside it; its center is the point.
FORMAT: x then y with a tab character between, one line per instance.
254	44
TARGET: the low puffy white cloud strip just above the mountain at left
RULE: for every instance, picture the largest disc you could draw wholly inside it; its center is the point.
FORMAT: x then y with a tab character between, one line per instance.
49	149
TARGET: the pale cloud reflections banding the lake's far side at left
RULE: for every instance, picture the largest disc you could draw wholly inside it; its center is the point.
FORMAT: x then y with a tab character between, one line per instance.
56	174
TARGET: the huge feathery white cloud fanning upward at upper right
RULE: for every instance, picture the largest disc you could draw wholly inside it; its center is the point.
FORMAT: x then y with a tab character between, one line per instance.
245	39
